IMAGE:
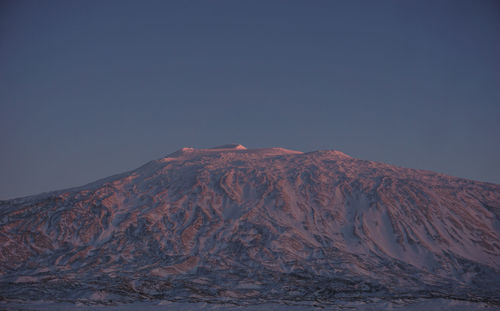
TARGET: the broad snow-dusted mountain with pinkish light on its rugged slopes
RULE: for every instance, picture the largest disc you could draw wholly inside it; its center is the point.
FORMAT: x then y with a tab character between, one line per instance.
244	226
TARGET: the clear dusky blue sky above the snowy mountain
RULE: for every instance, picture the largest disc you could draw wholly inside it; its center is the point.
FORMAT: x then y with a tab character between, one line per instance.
93	88
